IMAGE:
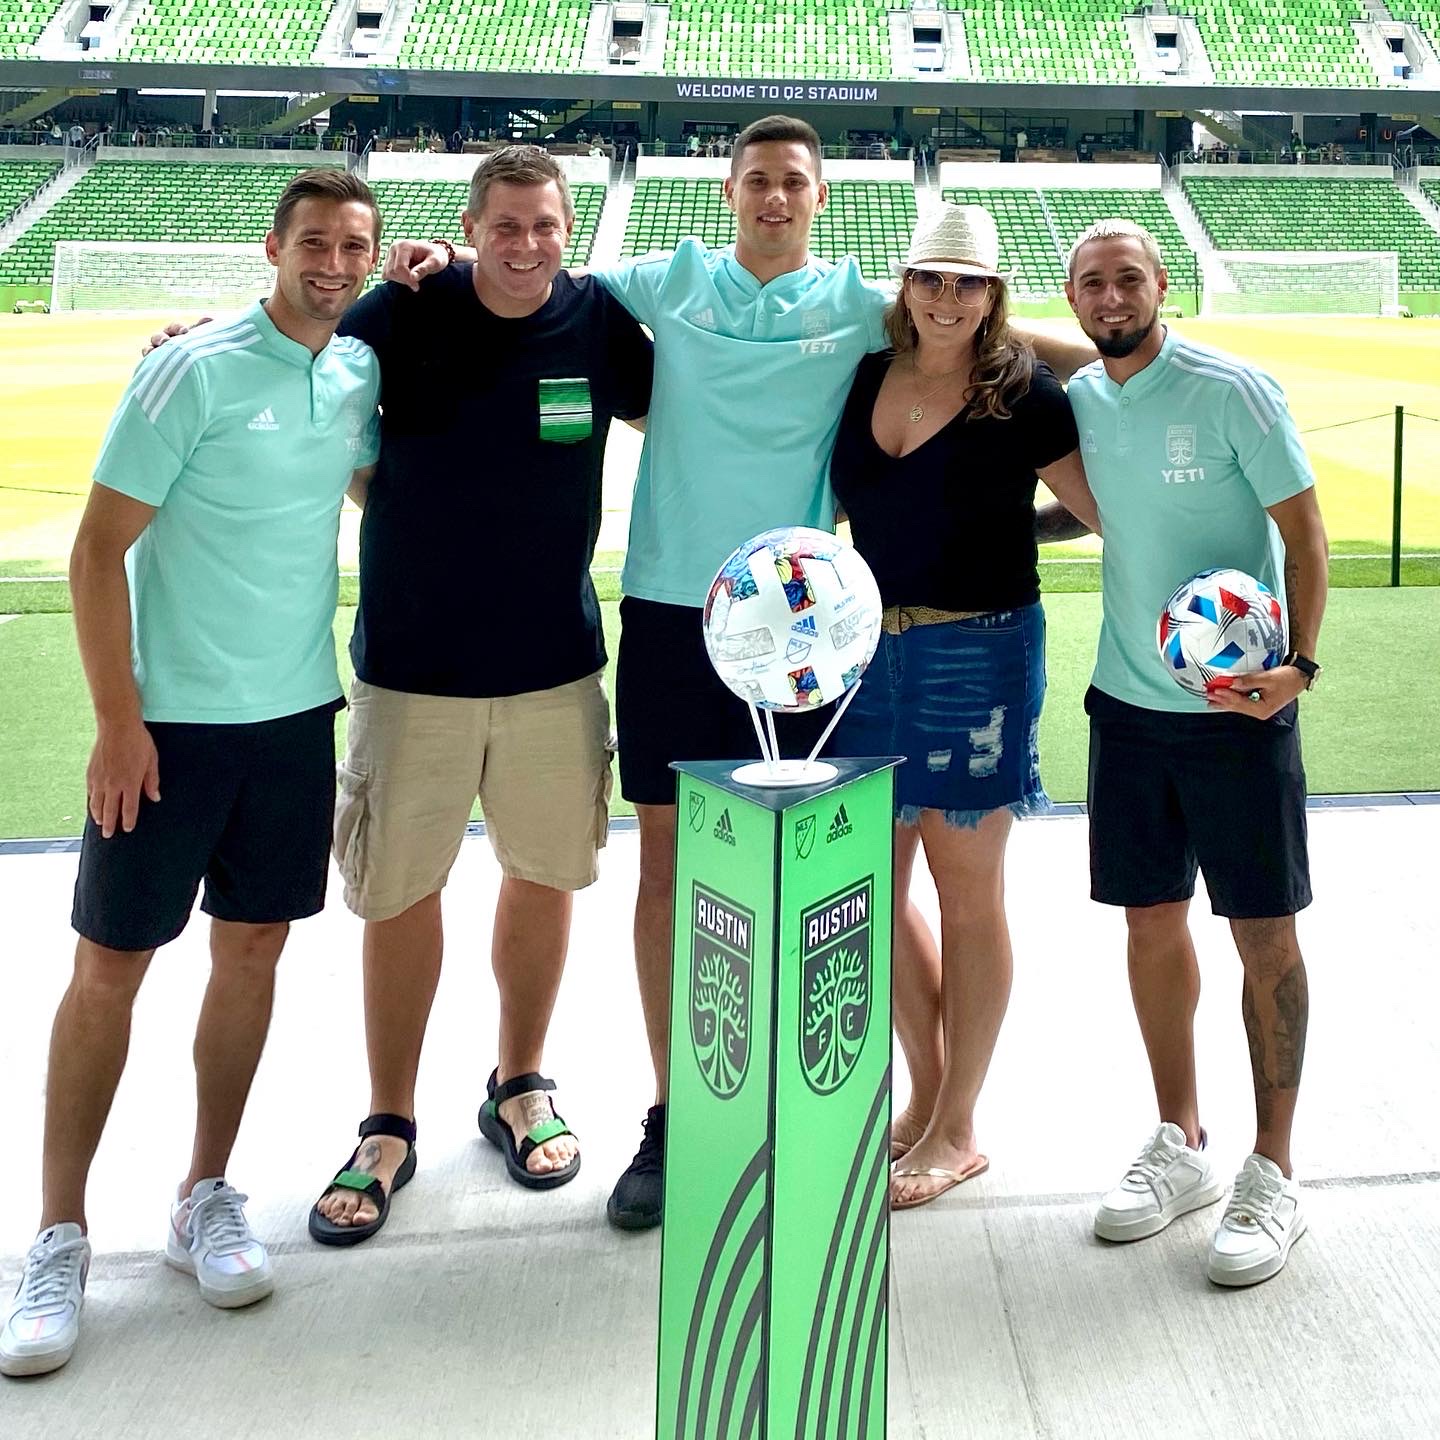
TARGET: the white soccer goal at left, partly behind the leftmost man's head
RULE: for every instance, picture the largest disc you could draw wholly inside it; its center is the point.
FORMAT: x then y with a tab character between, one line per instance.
136	276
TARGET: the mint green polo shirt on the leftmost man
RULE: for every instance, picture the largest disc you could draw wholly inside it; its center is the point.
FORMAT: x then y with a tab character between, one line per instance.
246	444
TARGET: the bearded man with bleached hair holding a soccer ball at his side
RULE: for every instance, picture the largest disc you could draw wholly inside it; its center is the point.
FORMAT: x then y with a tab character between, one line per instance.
1196	463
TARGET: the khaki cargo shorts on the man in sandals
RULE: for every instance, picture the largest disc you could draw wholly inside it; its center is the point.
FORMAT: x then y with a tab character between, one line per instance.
414	765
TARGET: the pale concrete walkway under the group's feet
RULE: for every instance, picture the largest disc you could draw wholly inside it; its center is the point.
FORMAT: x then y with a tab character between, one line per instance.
492	1313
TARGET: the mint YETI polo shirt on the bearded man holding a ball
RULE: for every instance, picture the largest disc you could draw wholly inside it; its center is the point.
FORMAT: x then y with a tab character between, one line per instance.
1184	460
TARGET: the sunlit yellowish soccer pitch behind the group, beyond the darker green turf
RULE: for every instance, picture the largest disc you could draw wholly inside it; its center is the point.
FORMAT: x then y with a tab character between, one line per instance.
1344	378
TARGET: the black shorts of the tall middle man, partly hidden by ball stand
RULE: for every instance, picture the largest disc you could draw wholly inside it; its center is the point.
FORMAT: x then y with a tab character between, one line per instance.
670	705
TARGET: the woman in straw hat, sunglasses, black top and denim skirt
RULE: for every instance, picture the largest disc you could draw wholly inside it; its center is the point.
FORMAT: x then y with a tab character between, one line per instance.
935	464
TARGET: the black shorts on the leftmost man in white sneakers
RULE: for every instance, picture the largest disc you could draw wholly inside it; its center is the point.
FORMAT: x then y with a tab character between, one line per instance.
247	809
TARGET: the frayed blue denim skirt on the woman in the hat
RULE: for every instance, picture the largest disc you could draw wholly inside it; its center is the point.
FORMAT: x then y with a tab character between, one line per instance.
961	703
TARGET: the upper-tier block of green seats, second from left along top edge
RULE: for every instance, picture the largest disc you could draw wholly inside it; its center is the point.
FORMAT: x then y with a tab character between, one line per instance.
191	31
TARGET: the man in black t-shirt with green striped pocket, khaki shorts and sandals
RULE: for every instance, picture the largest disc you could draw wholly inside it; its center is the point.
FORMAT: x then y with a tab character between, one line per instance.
479	654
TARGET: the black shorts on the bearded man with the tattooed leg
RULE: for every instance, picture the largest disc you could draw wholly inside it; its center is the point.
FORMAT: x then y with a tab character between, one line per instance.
1176	793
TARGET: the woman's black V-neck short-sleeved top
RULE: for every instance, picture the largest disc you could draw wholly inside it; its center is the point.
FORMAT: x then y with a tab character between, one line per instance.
953	525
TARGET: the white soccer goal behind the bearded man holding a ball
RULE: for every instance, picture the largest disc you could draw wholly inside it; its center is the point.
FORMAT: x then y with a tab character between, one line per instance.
1301	283
